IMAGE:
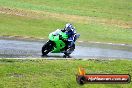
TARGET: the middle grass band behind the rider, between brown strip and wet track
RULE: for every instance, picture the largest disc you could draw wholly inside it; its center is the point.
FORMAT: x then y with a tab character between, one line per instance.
40	28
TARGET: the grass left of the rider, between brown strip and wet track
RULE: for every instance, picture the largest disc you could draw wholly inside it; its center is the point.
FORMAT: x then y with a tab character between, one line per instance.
23	26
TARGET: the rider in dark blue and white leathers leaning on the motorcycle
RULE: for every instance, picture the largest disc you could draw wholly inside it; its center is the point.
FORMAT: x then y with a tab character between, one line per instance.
70	30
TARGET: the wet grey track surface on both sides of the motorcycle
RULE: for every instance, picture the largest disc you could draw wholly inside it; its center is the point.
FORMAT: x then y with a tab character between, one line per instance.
32	49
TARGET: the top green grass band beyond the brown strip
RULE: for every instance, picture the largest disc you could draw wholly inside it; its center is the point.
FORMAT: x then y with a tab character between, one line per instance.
117	9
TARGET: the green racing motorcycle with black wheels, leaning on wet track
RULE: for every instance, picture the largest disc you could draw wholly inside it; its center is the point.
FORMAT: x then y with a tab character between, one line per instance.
57	44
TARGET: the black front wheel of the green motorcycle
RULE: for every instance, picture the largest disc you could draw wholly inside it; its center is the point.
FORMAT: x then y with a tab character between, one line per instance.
47	48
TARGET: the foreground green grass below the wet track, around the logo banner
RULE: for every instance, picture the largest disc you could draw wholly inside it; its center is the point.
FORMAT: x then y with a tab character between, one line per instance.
58	73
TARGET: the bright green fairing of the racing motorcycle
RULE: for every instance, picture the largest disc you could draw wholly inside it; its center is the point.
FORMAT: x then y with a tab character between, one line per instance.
59	43
